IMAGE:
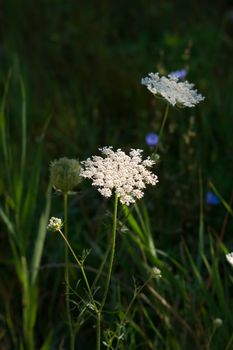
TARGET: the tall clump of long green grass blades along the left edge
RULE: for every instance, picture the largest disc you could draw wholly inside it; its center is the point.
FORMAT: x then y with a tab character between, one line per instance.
18	212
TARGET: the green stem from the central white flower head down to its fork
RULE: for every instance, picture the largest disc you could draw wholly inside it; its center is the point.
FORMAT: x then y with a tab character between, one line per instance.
113	242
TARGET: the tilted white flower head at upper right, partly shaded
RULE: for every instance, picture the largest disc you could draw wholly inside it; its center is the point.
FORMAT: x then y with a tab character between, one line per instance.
171	89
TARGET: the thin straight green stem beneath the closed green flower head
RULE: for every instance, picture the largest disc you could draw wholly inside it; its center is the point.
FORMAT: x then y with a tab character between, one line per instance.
67	272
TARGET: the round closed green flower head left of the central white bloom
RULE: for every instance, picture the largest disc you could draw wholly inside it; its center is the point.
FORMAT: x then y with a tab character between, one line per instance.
64	174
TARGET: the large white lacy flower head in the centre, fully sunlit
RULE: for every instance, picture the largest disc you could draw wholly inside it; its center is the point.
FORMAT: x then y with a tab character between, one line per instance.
127	175
